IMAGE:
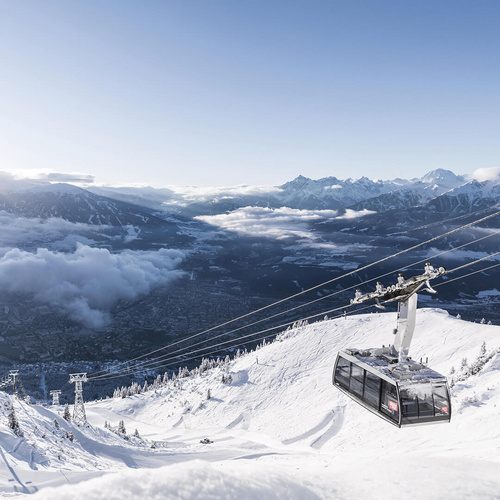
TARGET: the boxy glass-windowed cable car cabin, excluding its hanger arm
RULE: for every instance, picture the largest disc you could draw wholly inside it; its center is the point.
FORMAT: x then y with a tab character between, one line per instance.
408	394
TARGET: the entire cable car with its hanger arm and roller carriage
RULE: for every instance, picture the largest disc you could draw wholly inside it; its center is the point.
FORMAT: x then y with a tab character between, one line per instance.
385	380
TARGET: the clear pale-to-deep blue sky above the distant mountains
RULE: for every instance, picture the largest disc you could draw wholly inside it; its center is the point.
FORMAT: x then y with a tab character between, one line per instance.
226	92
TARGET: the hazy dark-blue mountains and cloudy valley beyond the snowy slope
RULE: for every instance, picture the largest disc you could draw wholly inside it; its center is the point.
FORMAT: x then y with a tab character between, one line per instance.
136	266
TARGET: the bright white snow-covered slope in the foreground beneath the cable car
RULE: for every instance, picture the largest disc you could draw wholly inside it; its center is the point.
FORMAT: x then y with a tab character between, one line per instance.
280	429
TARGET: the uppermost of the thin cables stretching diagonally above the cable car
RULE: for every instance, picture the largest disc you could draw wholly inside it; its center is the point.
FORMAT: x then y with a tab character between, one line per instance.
310	289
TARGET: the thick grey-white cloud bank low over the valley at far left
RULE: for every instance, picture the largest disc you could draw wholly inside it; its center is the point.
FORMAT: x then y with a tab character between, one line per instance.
85	284
